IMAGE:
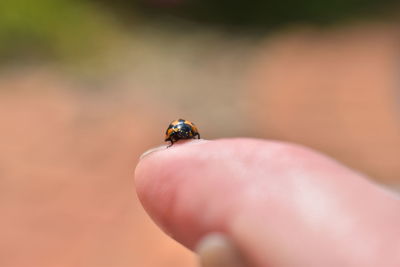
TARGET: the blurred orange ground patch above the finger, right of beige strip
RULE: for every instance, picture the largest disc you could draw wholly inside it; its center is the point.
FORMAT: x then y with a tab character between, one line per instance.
337	92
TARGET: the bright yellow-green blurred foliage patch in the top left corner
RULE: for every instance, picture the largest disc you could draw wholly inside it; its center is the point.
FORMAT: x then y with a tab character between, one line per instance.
56	29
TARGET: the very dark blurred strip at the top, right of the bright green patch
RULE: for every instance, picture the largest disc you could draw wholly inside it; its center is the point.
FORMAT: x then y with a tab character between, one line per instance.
263	14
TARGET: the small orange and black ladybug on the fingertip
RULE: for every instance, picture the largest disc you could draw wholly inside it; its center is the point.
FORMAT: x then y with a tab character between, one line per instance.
181	129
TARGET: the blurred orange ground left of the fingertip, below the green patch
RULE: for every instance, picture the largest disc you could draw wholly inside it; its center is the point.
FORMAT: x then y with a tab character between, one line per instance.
67	195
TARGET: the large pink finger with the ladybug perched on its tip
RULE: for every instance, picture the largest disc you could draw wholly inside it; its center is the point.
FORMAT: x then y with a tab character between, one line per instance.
280	204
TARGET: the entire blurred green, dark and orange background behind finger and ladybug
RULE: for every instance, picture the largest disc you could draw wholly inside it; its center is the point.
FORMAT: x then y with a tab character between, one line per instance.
87	86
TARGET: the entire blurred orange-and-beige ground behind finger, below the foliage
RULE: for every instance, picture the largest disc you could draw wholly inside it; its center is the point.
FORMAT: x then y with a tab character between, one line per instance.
69	143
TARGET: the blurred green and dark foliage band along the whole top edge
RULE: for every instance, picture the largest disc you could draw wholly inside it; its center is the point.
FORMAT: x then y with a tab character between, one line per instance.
72	29
